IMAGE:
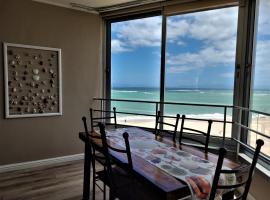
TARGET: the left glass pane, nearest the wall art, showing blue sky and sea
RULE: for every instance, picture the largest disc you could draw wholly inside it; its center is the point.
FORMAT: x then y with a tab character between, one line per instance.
135	68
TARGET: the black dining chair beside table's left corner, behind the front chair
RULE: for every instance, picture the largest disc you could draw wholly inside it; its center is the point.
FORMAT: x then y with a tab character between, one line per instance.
97	155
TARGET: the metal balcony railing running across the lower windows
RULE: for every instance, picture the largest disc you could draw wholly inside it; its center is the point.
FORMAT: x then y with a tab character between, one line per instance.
236	119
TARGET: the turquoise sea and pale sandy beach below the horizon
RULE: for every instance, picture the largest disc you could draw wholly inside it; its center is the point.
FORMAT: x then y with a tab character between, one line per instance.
260	123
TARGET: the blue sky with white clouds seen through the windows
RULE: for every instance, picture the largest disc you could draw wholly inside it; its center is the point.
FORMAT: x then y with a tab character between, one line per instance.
200	50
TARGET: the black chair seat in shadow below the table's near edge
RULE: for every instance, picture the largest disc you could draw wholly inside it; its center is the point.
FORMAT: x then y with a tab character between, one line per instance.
129	186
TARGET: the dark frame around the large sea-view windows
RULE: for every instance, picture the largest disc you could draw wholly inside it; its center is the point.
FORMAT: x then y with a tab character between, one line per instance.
244	62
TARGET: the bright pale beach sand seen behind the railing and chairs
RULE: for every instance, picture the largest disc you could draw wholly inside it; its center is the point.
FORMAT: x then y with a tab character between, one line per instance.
261	124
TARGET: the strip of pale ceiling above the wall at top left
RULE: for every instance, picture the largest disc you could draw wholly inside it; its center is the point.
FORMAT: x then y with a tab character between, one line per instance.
93	6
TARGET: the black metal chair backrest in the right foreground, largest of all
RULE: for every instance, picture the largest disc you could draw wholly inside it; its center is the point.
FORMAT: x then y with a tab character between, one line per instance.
246	183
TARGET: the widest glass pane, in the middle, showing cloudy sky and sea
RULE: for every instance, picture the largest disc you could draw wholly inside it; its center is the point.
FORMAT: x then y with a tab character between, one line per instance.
200	64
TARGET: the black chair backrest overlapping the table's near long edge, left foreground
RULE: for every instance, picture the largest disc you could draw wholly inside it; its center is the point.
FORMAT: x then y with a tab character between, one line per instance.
107	149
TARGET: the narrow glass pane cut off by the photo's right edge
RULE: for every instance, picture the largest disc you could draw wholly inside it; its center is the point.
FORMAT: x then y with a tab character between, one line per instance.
261	83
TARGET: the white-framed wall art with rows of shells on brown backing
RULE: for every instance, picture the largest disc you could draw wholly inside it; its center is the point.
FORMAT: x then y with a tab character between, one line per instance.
33	81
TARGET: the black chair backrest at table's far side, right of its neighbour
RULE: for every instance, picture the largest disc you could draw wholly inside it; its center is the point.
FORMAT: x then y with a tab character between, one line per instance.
188	131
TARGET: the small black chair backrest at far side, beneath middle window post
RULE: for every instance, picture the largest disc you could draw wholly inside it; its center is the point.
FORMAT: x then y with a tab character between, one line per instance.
159	121
